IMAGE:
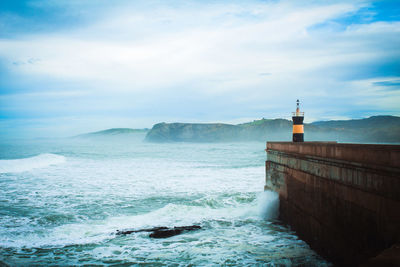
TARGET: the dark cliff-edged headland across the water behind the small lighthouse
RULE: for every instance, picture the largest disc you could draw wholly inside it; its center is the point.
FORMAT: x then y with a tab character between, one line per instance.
376	129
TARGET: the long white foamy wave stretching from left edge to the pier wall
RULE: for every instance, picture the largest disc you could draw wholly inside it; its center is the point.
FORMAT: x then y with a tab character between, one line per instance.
232	210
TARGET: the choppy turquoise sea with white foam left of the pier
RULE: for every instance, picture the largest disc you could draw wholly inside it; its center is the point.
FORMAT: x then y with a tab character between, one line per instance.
63	200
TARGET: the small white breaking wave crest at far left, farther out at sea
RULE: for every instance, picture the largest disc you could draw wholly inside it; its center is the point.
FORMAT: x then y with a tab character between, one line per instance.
27	164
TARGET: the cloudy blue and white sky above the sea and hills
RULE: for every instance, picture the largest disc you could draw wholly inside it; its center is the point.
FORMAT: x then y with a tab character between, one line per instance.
74	66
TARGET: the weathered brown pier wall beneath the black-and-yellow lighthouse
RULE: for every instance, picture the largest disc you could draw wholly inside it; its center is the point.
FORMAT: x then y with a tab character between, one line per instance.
343	199
